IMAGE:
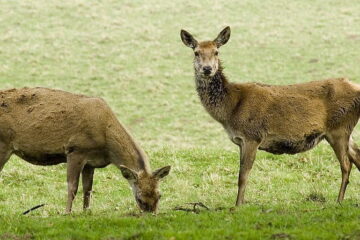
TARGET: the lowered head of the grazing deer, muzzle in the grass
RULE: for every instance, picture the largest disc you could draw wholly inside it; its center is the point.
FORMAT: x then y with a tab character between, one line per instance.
145	186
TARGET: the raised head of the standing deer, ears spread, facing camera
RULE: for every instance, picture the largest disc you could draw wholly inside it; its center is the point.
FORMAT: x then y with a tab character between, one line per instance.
206	54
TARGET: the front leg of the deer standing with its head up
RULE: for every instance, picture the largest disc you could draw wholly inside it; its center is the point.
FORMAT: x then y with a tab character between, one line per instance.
247	157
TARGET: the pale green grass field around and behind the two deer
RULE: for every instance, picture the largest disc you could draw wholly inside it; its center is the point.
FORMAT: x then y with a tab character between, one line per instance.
130	53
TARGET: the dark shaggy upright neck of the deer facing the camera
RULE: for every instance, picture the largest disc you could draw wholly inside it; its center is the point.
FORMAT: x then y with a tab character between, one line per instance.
214	94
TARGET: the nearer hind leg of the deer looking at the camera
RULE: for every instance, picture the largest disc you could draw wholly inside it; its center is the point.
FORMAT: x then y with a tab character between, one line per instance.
340	145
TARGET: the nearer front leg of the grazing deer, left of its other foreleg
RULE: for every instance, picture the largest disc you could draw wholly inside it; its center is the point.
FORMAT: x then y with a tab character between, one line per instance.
75	164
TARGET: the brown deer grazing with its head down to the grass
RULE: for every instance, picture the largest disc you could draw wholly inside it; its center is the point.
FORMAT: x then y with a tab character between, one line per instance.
48	127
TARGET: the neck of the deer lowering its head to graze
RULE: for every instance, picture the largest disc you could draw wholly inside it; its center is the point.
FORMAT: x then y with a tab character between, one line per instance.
123	150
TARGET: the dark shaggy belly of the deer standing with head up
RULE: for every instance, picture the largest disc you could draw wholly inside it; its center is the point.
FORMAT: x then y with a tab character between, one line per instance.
291	146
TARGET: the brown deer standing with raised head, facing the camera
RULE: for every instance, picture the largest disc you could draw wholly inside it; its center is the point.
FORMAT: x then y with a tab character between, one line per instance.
277	119
